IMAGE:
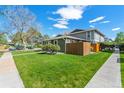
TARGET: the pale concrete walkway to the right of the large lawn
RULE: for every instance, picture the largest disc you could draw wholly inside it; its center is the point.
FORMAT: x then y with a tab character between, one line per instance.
109	75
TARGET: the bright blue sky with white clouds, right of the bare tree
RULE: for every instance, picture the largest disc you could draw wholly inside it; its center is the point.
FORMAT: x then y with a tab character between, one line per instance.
60	19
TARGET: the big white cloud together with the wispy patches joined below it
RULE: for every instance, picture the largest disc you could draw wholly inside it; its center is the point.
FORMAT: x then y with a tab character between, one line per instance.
67	13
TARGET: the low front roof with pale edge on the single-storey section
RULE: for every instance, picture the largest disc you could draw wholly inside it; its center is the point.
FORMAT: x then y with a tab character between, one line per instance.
65	37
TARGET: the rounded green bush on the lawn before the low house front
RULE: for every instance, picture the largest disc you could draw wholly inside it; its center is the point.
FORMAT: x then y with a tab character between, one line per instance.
51	48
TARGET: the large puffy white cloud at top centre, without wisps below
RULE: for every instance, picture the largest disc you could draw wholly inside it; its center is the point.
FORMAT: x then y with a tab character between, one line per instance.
71	12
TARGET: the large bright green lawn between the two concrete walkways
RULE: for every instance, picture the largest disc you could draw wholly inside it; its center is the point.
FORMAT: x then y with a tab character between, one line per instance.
60	71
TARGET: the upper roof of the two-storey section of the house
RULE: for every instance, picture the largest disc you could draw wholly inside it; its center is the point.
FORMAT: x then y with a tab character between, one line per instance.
83	31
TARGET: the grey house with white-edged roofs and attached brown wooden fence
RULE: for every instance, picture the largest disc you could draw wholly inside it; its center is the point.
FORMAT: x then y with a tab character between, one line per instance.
78	40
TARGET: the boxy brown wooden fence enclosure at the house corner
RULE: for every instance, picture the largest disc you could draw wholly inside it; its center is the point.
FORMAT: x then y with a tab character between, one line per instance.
79	48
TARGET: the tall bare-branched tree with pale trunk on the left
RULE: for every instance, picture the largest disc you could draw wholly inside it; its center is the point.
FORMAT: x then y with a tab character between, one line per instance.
20	19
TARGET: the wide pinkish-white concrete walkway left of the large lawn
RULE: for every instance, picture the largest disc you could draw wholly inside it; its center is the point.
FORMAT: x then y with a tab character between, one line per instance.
9	77
